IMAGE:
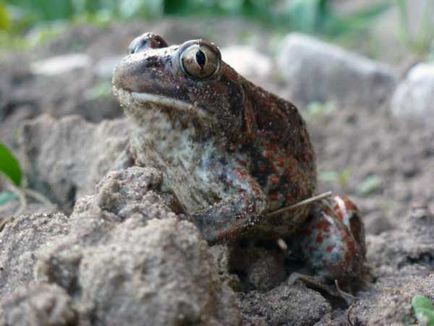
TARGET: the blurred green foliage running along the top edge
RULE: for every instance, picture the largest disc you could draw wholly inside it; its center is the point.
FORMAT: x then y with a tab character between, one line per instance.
310	16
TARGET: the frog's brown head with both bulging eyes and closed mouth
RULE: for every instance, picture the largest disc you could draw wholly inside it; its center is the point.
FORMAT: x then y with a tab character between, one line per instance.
190	82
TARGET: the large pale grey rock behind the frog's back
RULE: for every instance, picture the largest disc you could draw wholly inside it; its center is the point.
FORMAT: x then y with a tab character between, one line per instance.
320	72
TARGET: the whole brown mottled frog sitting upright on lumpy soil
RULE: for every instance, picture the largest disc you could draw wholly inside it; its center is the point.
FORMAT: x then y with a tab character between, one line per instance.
232	153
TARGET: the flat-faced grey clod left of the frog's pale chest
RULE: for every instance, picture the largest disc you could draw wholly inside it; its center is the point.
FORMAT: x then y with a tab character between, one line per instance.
65	158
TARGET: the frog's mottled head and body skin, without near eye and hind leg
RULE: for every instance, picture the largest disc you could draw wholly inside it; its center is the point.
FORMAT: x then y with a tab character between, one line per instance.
253	145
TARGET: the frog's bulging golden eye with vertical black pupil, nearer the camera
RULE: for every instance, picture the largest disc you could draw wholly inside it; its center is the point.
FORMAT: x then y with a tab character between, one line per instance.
200	61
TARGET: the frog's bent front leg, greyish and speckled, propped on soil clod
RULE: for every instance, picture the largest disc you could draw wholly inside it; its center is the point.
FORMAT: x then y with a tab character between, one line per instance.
236	211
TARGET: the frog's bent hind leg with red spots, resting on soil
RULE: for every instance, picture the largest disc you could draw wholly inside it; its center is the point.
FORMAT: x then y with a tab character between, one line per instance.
333	242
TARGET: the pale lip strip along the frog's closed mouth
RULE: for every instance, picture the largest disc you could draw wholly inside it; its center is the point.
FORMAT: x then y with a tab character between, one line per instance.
161	101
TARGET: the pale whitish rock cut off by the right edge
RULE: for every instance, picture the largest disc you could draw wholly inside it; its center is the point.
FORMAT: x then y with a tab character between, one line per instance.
414	97
